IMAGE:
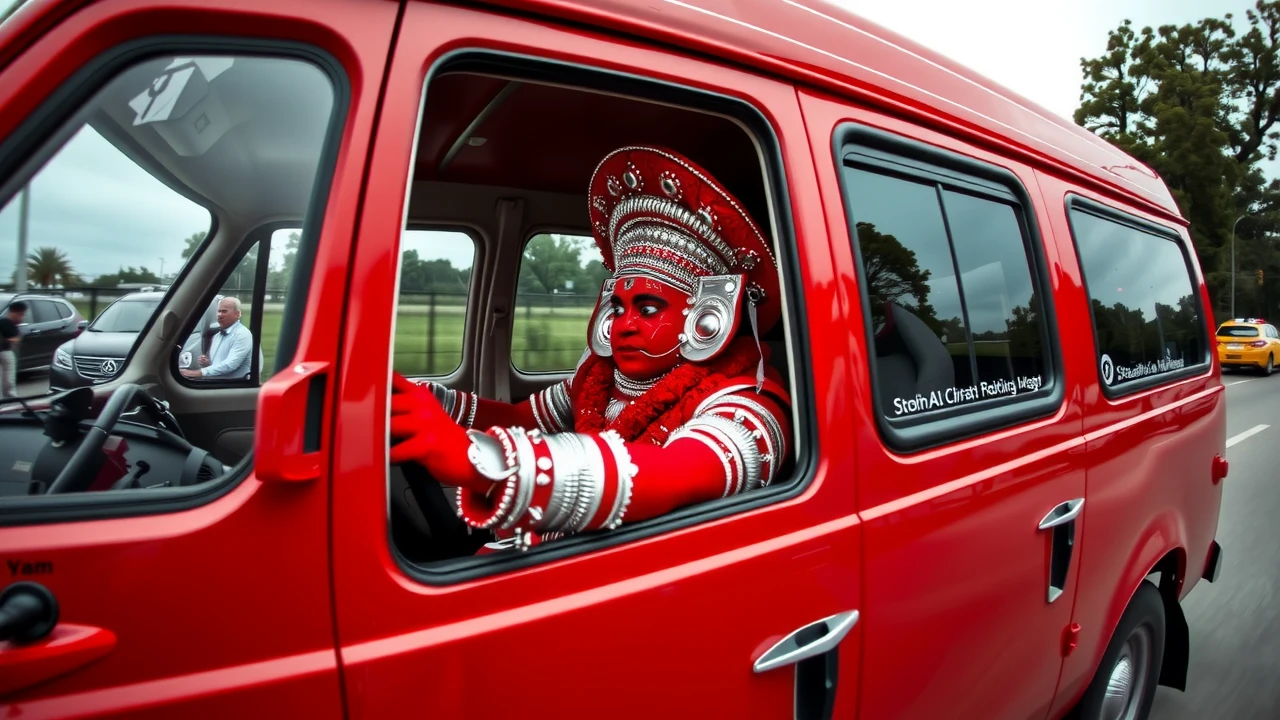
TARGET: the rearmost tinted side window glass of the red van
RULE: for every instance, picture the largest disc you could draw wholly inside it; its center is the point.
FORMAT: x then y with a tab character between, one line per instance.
1146	313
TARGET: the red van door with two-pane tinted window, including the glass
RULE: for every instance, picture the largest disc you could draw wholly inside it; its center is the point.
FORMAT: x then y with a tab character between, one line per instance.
971	486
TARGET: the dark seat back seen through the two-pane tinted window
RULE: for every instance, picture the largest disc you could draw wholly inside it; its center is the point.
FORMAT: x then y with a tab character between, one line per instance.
911	358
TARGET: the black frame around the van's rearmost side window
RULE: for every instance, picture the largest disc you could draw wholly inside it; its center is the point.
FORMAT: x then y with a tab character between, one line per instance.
1076	203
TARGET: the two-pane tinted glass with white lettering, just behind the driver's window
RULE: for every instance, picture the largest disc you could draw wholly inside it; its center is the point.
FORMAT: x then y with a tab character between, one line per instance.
948	284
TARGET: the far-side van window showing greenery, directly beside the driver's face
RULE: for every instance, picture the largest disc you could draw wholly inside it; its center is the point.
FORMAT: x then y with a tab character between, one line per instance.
560	280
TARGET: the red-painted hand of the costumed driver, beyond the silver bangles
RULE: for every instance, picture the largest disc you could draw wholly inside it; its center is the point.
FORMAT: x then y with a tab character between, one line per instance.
424	434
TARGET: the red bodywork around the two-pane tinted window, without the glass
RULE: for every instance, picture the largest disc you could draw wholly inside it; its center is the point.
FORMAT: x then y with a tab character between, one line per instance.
939	641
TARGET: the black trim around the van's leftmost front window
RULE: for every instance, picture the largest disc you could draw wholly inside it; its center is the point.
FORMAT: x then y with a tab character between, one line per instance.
45	133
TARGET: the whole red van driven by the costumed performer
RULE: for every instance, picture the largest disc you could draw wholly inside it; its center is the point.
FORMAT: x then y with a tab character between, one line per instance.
1008	417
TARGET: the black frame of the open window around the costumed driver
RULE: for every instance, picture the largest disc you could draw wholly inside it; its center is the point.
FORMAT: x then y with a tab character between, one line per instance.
806	441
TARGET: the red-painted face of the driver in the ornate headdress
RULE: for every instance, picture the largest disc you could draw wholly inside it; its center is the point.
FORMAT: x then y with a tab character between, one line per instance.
648	318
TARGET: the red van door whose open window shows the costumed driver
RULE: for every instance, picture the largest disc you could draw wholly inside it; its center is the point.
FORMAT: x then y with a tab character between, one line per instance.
675	616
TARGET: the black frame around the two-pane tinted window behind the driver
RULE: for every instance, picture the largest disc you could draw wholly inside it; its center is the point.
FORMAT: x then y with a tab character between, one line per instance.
860	147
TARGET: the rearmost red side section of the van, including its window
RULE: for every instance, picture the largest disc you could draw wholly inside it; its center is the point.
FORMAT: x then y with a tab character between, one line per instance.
1155	421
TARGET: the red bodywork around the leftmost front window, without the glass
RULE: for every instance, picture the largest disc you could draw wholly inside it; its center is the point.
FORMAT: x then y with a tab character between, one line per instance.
226	607
